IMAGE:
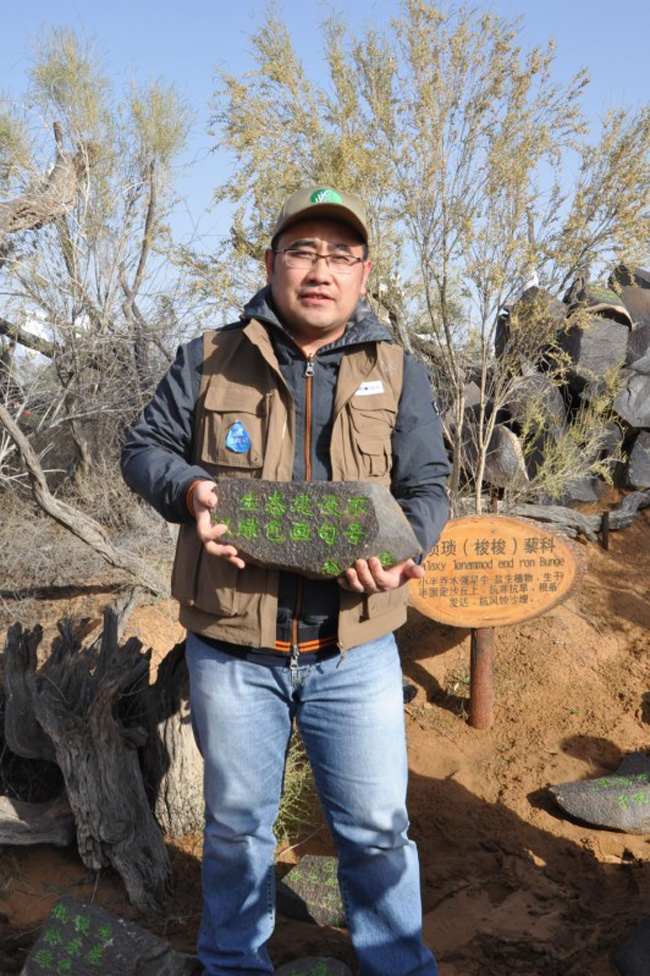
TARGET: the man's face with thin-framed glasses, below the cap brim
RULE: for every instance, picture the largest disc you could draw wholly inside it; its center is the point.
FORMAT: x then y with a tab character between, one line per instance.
315	304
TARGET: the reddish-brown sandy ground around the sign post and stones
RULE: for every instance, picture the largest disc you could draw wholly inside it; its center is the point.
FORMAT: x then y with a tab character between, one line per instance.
510	883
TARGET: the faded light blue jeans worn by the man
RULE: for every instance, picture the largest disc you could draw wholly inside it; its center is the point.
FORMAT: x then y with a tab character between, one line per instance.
351	717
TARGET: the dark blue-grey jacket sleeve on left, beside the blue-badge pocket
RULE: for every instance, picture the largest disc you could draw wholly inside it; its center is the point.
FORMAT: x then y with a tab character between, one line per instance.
158	452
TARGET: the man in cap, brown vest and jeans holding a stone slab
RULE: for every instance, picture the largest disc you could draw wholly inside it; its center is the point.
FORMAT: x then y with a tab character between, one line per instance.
306	387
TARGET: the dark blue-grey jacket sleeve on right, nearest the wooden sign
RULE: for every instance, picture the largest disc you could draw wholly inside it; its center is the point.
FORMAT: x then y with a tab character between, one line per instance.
420	465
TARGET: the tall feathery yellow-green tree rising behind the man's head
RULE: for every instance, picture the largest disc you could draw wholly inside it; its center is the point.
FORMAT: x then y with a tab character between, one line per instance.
459	141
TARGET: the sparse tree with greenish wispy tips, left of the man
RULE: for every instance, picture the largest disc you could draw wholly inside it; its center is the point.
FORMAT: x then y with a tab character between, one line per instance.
85	278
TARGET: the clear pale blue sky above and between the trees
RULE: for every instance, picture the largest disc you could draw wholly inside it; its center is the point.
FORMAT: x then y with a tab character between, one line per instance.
185	42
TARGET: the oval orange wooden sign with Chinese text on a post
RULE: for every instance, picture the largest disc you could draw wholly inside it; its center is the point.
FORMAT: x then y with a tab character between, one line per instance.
489	570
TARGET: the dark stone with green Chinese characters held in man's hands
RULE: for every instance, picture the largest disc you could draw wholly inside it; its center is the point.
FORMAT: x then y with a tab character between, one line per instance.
315	528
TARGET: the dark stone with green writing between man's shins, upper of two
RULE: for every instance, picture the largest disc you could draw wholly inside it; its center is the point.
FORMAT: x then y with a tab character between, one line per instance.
310	891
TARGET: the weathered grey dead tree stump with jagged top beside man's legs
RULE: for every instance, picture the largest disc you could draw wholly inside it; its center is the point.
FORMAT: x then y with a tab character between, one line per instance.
124	746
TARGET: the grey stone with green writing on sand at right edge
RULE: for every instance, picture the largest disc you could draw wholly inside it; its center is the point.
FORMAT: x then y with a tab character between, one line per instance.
621	800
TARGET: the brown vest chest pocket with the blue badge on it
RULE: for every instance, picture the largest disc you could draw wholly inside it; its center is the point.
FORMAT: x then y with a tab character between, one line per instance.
234	431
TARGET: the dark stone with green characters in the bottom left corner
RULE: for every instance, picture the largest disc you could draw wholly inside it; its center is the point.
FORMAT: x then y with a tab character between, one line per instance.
79	939
